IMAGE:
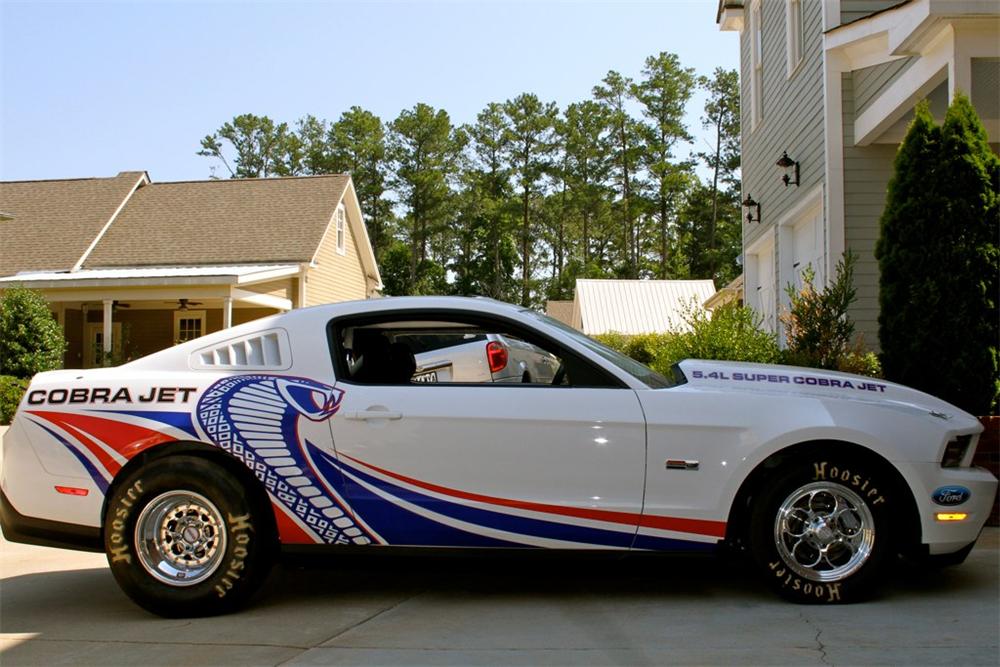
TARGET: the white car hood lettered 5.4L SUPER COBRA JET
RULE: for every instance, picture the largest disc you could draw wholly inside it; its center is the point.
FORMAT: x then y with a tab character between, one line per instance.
794	380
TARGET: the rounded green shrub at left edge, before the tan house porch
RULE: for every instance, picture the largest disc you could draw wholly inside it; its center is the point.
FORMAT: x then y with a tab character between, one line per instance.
31	340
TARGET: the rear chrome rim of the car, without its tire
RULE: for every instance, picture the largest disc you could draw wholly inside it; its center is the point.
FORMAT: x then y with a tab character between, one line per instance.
180	538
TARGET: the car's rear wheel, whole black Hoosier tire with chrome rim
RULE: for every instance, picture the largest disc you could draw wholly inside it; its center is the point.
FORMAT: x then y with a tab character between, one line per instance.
184	538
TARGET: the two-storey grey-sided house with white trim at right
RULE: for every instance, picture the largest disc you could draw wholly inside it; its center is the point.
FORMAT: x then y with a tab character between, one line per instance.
827	91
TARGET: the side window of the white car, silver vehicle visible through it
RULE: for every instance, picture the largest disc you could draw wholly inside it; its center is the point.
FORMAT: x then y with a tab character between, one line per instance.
453	352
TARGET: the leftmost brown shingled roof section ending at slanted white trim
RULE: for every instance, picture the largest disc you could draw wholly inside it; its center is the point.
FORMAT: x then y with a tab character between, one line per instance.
53	223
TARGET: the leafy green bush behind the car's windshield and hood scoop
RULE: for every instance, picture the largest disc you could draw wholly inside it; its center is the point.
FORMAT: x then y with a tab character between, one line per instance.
731	332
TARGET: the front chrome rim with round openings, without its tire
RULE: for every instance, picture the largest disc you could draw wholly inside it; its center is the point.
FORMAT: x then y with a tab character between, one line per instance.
824	531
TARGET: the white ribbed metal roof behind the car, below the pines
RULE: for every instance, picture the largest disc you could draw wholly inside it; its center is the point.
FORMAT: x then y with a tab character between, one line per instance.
637	306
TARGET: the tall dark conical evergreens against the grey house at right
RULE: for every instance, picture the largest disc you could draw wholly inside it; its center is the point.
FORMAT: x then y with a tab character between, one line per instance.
939	261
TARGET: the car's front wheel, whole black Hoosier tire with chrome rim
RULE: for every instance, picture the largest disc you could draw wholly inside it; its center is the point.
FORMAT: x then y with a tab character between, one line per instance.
820	530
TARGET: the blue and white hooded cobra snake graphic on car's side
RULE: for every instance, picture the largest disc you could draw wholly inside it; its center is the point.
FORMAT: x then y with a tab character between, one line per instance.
255	418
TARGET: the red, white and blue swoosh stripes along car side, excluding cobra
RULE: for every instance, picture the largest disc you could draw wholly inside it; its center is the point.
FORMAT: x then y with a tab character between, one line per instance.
388	507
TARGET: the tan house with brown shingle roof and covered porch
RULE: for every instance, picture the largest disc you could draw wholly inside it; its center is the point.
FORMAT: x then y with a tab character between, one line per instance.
132	266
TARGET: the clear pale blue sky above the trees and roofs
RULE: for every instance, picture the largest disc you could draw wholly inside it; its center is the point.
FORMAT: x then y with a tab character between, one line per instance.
91	89
